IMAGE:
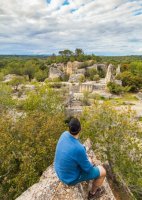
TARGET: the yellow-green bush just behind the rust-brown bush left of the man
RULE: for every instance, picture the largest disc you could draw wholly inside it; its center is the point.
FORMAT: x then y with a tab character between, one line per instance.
43	99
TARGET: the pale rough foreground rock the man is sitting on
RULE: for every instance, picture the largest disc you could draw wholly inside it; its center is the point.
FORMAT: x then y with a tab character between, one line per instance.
50	188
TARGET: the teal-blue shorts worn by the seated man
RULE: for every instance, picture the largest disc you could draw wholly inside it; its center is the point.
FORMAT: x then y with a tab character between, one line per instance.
94	173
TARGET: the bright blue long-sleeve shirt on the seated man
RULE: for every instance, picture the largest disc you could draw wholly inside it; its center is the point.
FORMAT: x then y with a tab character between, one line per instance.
70	158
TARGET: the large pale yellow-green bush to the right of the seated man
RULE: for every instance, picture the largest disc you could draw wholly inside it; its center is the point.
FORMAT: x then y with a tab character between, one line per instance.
116	137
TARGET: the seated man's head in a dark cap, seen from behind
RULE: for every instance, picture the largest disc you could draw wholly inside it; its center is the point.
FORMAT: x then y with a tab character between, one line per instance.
74	126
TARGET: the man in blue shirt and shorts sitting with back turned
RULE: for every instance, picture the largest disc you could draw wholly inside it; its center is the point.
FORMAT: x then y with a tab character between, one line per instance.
72	164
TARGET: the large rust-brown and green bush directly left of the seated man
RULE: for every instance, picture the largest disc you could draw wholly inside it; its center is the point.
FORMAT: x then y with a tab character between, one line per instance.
27	148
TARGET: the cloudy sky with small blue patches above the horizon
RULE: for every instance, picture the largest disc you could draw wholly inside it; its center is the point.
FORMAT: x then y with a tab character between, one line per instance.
103	27
